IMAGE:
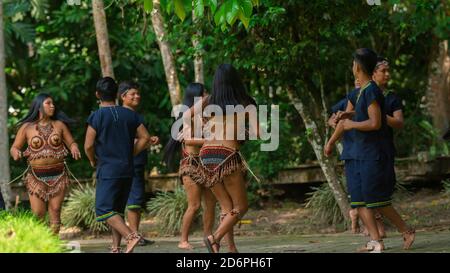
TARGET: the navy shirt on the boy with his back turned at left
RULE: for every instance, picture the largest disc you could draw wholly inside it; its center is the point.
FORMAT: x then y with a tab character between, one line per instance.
115	128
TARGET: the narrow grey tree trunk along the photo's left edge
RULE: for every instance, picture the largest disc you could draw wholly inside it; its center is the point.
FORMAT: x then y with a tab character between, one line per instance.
4	143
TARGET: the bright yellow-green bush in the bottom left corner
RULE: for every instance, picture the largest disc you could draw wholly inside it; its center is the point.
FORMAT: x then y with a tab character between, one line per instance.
22	232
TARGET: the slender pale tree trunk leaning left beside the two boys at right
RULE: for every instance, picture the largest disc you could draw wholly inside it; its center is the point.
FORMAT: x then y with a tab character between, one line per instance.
328	165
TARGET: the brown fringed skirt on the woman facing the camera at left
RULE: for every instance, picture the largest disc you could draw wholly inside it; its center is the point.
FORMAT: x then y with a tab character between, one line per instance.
46	181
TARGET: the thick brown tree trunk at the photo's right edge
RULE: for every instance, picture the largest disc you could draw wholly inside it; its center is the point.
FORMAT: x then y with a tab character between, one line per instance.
438	91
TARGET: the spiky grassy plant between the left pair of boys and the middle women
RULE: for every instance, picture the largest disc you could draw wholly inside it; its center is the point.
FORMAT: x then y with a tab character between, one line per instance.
169	208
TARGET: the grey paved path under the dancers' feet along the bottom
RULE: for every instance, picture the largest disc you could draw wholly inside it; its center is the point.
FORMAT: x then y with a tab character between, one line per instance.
426	242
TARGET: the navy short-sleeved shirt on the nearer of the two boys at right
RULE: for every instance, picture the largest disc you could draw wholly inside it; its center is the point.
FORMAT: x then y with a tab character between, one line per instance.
368	145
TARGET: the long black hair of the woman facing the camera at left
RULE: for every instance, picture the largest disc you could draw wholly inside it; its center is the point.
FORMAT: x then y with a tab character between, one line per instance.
37	106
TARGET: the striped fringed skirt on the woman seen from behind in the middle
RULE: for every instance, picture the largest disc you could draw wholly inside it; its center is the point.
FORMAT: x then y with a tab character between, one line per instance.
218	162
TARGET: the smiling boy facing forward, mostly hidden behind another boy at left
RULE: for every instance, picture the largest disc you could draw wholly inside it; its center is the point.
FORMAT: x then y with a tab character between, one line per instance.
130	96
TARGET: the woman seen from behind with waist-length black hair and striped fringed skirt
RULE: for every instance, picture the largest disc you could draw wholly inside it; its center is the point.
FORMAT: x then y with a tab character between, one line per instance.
222	163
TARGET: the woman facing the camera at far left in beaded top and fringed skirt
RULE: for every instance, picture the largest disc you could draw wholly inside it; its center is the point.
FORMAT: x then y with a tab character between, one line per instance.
46	132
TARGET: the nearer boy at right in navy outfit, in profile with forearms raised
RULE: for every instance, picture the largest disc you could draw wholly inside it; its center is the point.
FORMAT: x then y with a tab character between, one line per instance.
369	187
